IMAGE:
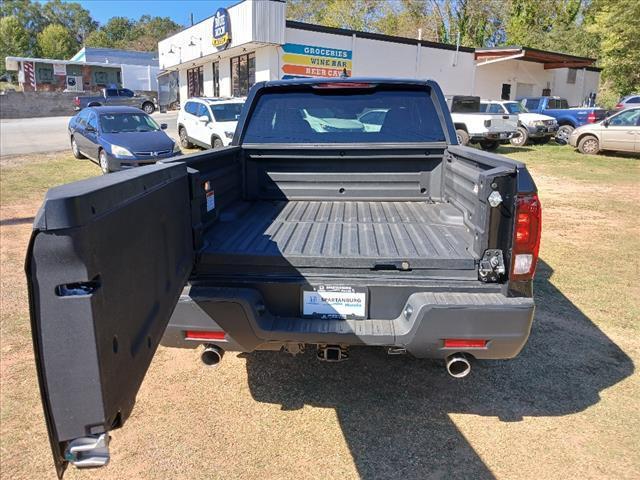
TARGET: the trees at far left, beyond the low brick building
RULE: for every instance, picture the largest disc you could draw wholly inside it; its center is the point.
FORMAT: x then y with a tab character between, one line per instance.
58	29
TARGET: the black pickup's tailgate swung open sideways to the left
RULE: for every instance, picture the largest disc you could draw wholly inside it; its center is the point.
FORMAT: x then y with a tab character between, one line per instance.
107	261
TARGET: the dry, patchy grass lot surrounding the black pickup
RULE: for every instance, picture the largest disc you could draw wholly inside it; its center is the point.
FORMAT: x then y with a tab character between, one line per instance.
574	419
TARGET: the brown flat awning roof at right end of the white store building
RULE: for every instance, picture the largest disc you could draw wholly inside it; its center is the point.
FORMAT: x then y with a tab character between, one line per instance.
550	60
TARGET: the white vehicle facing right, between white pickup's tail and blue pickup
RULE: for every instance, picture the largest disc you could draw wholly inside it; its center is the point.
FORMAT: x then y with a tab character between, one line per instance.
532	127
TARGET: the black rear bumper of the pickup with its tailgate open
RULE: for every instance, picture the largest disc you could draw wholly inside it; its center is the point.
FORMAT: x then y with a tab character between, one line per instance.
427	319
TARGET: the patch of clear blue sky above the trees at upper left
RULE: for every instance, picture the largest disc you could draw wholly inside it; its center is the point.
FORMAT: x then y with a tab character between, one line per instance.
178	10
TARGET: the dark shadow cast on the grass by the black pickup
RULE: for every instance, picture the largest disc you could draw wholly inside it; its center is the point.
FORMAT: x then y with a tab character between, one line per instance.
394	411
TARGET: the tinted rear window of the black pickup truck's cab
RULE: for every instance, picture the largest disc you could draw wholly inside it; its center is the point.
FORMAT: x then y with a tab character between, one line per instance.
385	115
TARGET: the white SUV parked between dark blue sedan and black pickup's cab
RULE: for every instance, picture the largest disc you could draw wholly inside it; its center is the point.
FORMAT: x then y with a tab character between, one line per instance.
208	122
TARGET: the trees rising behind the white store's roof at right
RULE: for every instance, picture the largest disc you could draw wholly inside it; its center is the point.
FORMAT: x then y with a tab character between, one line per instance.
608	30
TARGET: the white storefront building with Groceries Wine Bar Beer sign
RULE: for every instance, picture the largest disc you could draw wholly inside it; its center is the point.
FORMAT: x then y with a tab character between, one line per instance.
225	54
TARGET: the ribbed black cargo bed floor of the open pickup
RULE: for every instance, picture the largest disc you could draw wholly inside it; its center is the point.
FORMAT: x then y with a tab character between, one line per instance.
368	235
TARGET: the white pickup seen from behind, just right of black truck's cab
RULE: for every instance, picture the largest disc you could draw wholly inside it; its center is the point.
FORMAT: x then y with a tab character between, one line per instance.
489	130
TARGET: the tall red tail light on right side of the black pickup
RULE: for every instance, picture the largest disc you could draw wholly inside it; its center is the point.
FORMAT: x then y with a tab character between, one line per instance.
526	237
